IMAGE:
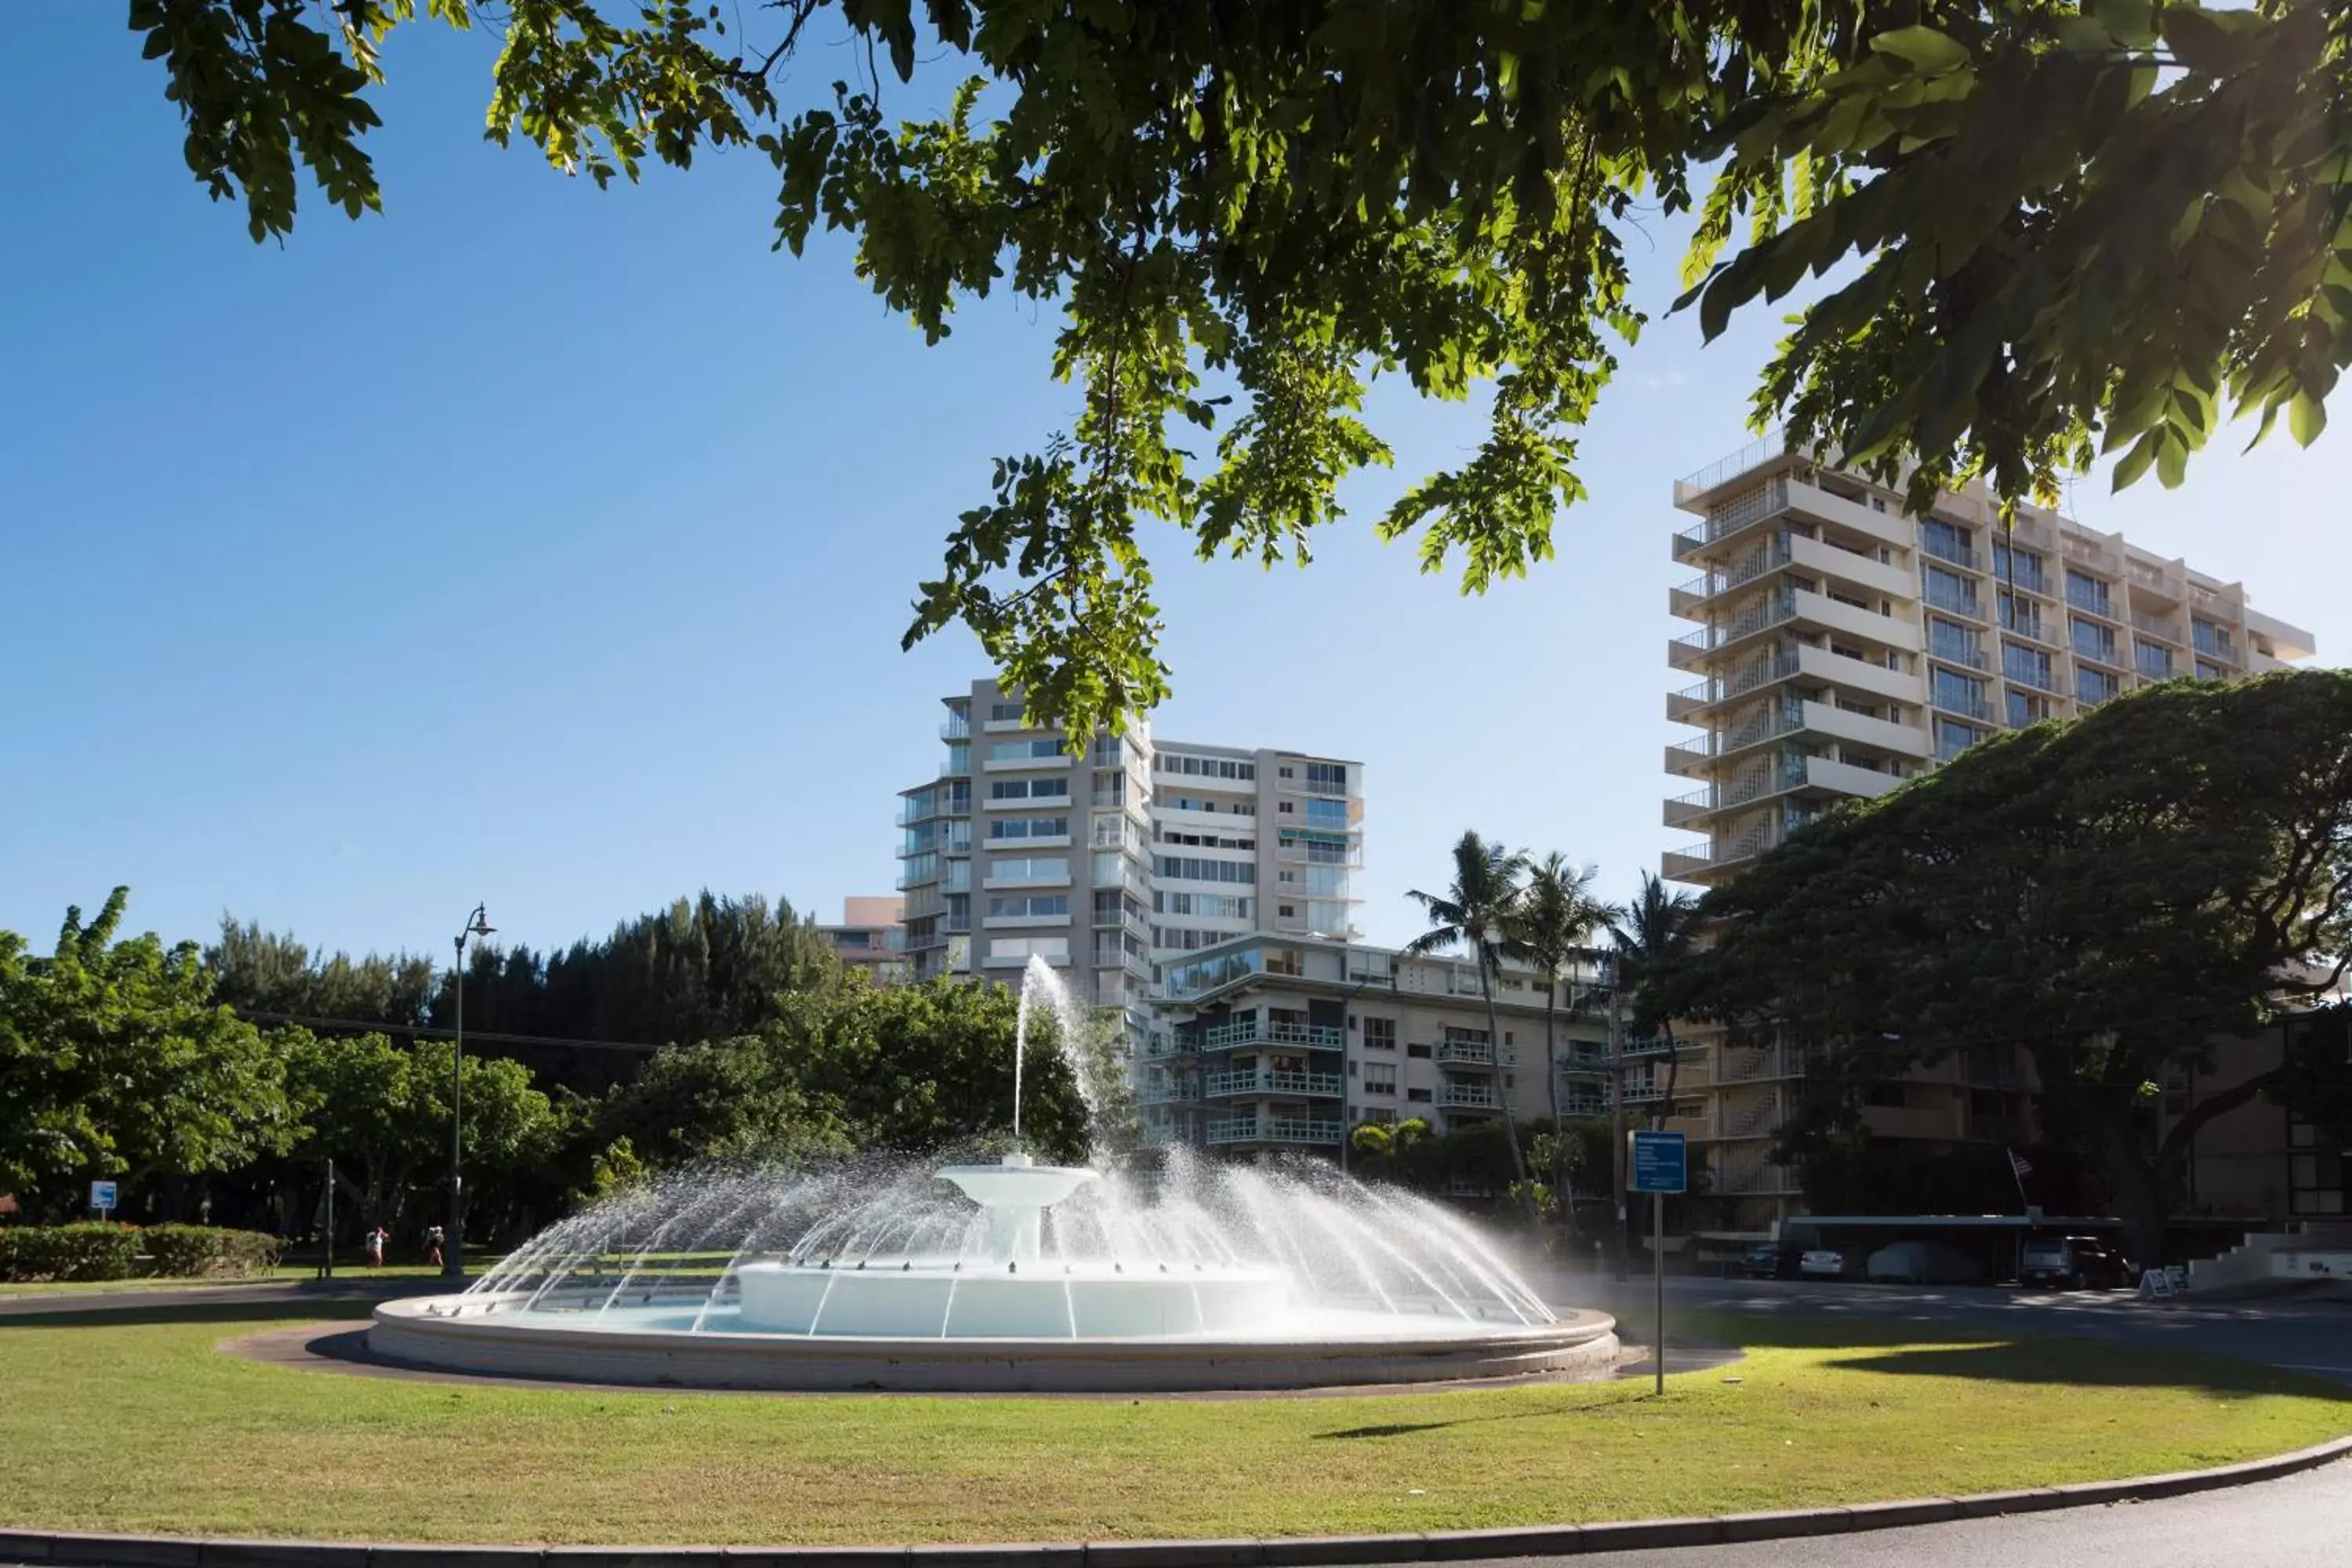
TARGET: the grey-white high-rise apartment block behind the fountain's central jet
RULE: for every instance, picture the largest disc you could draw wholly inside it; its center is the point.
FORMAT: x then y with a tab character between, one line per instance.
1121	859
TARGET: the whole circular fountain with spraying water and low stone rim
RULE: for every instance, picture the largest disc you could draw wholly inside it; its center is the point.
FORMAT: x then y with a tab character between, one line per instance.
1008	1275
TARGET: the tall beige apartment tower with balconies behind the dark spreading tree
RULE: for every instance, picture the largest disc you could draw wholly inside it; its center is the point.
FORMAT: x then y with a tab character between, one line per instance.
1845	648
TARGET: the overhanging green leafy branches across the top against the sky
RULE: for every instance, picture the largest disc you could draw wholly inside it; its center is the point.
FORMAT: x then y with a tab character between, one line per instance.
2064	227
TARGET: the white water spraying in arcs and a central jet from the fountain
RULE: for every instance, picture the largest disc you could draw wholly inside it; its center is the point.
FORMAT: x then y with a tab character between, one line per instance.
1013	1249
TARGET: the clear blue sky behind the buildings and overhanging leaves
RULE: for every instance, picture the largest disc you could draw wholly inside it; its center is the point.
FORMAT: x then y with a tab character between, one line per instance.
552	547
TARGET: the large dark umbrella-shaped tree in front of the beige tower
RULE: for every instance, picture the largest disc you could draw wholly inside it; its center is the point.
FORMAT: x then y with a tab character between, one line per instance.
2111	899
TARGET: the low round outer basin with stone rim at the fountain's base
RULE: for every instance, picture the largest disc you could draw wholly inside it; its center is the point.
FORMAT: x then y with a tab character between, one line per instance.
662	1348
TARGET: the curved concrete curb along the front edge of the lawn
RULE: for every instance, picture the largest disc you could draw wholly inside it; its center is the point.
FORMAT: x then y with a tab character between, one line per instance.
79	1550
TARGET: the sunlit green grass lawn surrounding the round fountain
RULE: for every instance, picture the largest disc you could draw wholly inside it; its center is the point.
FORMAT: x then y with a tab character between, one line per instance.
135	1423
